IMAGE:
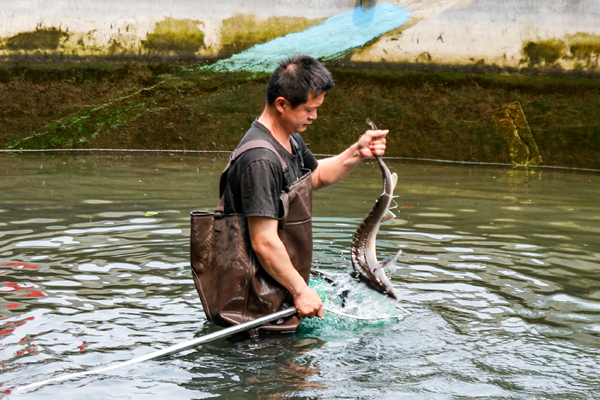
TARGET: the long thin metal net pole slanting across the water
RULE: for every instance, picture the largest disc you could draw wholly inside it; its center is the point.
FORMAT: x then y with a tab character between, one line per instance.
223	333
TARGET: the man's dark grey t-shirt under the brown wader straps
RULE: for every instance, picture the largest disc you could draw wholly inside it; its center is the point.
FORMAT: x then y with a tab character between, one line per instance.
257	179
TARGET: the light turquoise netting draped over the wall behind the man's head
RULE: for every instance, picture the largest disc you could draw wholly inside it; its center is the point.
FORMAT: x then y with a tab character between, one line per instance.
328	40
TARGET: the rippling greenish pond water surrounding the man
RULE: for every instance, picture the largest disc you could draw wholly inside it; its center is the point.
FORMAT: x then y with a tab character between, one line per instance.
500	271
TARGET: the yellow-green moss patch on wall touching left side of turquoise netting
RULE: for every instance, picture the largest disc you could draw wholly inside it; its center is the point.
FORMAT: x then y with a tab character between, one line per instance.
241	32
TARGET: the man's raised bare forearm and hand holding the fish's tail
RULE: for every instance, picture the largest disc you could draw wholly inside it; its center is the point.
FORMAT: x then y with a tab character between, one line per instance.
331	170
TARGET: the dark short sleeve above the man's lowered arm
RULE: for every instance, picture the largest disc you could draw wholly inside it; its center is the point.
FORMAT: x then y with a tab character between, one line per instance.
260	188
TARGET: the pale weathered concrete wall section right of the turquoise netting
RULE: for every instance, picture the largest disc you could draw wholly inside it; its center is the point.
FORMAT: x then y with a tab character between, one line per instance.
491	32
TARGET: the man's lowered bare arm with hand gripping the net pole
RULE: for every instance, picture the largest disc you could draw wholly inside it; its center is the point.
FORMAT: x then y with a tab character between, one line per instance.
274	258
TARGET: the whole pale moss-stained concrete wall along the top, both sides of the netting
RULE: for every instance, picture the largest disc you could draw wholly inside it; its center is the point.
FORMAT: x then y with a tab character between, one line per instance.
508	33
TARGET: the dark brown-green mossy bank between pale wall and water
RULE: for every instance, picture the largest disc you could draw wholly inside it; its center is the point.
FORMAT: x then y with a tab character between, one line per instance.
430	113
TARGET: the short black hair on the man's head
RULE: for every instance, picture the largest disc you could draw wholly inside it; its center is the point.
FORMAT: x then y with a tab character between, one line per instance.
296	78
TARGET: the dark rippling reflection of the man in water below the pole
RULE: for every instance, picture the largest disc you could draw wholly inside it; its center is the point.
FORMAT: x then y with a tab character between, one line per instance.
277	365
